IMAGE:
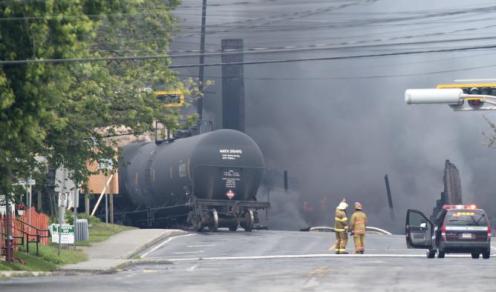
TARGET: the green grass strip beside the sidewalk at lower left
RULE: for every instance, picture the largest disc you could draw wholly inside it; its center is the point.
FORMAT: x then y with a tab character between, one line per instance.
49	260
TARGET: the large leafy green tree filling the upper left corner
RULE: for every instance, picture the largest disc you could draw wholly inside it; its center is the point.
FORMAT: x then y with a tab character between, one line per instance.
57	110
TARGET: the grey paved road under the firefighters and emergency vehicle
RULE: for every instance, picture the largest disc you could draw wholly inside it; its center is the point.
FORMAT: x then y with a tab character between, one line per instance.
279	261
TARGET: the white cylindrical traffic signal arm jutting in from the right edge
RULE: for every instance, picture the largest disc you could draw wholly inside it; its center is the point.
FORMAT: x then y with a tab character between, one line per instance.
455	97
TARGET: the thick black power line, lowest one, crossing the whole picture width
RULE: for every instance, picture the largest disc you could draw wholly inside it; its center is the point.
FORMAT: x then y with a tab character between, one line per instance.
292	60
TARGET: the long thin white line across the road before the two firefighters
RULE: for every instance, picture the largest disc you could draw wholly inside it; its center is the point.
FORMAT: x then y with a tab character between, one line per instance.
303	256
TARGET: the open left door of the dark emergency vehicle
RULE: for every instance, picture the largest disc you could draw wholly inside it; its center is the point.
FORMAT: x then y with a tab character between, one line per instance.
418	230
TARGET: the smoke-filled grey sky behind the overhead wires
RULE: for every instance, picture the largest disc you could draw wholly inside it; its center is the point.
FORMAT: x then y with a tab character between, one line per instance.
338	126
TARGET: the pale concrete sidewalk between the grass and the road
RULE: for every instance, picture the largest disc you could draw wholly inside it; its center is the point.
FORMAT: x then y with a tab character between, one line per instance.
119	250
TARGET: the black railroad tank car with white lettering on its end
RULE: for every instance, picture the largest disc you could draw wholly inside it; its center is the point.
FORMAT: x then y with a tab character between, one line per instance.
208	180
